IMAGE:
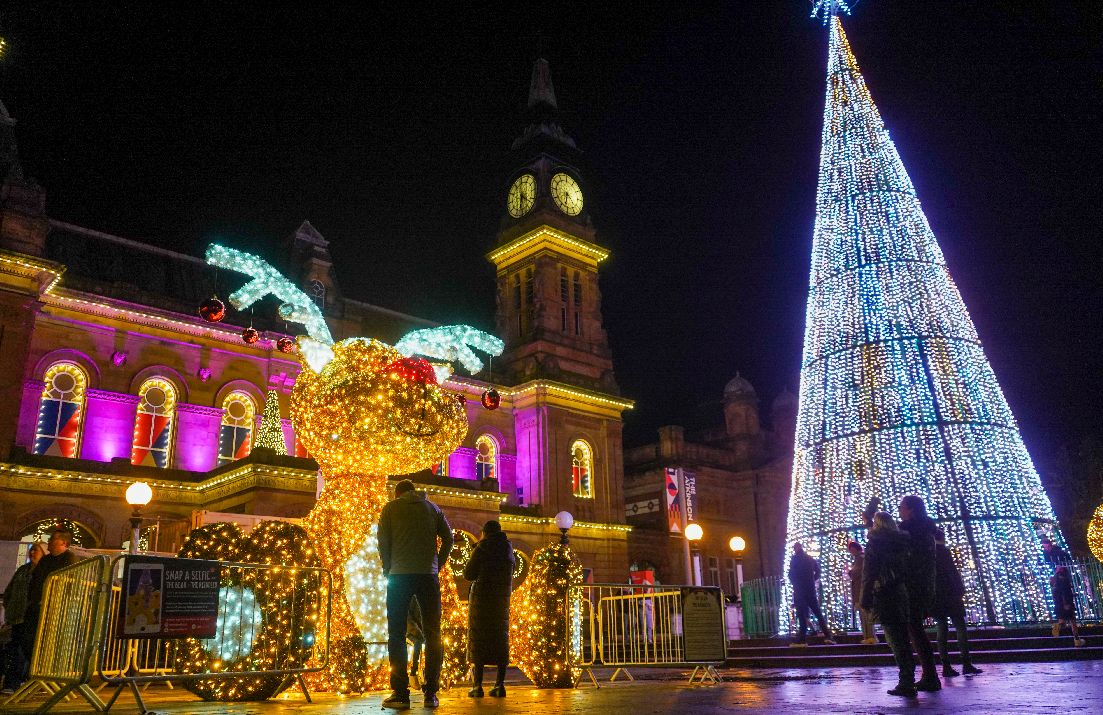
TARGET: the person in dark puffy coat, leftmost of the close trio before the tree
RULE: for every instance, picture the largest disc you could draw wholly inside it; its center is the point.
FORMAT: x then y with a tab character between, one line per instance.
885	594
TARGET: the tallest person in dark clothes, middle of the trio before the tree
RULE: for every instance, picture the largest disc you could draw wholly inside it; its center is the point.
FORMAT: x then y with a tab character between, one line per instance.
923	577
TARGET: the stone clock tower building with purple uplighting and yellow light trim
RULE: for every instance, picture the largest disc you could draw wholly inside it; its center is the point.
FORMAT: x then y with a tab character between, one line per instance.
112	378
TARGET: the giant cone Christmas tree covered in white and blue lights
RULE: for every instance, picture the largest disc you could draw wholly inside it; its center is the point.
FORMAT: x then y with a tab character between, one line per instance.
897	397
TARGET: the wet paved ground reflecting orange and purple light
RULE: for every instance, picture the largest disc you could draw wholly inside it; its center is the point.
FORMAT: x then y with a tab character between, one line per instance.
1015	688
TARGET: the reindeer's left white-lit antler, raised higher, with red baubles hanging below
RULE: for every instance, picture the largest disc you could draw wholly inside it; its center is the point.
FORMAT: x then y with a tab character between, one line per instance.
298	307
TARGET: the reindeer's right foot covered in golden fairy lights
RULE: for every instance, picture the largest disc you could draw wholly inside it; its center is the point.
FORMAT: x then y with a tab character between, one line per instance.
539	618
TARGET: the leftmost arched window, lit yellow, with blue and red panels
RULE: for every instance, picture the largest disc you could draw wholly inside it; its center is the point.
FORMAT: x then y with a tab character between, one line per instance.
61	411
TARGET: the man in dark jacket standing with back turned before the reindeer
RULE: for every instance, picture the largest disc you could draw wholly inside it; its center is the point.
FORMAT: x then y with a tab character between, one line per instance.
410	527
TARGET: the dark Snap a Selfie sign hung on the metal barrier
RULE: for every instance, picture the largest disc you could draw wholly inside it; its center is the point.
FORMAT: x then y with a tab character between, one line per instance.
168	599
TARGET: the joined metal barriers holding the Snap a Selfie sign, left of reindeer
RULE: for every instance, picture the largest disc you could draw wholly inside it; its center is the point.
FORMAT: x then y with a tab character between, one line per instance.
77	638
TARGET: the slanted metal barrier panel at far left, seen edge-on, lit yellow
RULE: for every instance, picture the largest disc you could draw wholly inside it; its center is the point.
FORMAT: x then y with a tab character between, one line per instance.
70	621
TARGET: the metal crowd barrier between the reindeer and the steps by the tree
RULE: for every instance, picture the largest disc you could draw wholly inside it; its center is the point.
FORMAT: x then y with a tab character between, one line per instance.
622	627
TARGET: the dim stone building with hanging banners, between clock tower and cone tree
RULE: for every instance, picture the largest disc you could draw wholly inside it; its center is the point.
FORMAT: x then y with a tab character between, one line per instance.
743	474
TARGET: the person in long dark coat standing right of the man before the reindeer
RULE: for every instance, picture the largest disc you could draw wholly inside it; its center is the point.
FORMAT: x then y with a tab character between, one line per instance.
490	570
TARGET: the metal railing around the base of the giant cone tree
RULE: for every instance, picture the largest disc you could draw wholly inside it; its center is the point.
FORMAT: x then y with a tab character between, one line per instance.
763	601
